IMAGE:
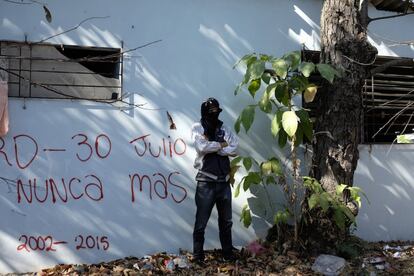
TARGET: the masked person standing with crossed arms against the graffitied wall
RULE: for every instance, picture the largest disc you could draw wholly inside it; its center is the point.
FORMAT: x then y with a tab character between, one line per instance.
214	144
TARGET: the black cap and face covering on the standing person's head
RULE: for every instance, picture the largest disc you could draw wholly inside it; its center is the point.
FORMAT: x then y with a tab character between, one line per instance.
210	111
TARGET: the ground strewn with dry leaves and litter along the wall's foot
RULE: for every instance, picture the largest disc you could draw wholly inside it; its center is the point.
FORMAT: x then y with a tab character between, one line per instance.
393	258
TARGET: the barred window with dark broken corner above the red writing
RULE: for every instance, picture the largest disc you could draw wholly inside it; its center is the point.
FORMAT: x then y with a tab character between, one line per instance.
62	71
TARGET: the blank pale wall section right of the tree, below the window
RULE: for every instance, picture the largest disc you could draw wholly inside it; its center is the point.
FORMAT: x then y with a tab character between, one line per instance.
384	174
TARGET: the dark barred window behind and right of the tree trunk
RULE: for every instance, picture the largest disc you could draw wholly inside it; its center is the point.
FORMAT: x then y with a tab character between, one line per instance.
388	101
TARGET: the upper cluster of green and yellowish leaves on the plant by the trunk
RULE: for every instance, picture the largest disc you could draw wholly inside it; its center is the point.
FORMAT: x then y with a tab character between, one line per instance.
282	79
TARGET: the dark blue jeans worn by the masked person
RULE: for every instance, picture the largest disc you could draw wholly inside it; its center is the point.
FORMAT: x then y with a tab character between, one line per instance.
207	195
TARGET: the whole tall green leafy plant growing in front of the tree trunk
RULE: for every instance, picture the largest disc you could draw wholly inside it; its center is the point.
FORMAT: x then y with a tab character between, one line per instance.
273	84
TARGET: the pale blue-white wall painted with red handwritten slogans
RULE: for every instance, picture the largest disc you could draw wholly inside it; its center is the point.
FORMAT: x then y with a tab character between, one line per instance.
200	43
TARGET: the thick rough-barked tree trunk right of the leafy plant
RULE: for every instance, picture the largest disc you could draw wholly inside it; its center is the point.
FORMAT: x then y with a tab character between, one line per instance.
338	126
